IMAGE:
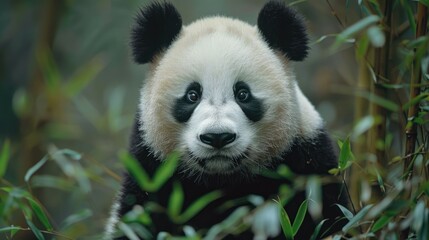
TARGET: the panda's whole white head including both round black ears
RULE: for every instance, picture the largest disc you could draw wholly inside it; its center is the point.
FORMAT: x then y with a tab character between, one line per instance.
221	91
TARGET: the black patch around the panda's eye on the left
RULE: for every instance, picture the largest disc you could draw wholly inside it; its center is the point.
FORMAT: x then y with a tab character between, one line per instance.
185	106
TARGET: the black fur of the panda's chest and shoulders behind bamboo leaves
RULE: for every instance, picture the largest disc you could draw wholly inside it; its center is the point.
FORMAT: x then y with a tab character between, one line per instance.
313	156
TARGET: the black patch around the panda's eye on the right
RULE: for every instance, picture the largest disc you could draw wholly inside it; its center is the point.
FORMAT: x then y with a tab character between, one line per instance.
252	107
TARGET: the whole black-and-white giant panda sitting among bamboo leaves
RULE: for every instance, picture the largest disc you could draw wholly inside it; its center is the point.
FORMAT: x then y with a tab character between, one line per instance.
223	94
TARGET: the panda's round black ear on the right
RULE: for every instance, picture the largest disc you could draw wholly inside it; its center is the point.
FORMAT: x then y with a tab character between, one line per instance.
283	29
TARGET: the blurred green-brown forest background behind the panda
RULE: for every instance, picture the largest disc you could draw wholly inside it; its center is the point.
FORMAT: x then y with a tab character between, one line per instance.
67	81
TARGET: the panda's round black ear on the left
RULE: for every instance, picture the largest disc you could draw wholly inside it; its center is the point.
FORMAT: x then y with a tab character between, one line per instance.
156	27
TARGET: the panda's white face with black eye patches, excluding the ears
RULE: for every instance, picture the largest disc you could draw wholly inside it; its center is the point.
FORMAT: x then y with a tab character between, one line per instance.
222	98
